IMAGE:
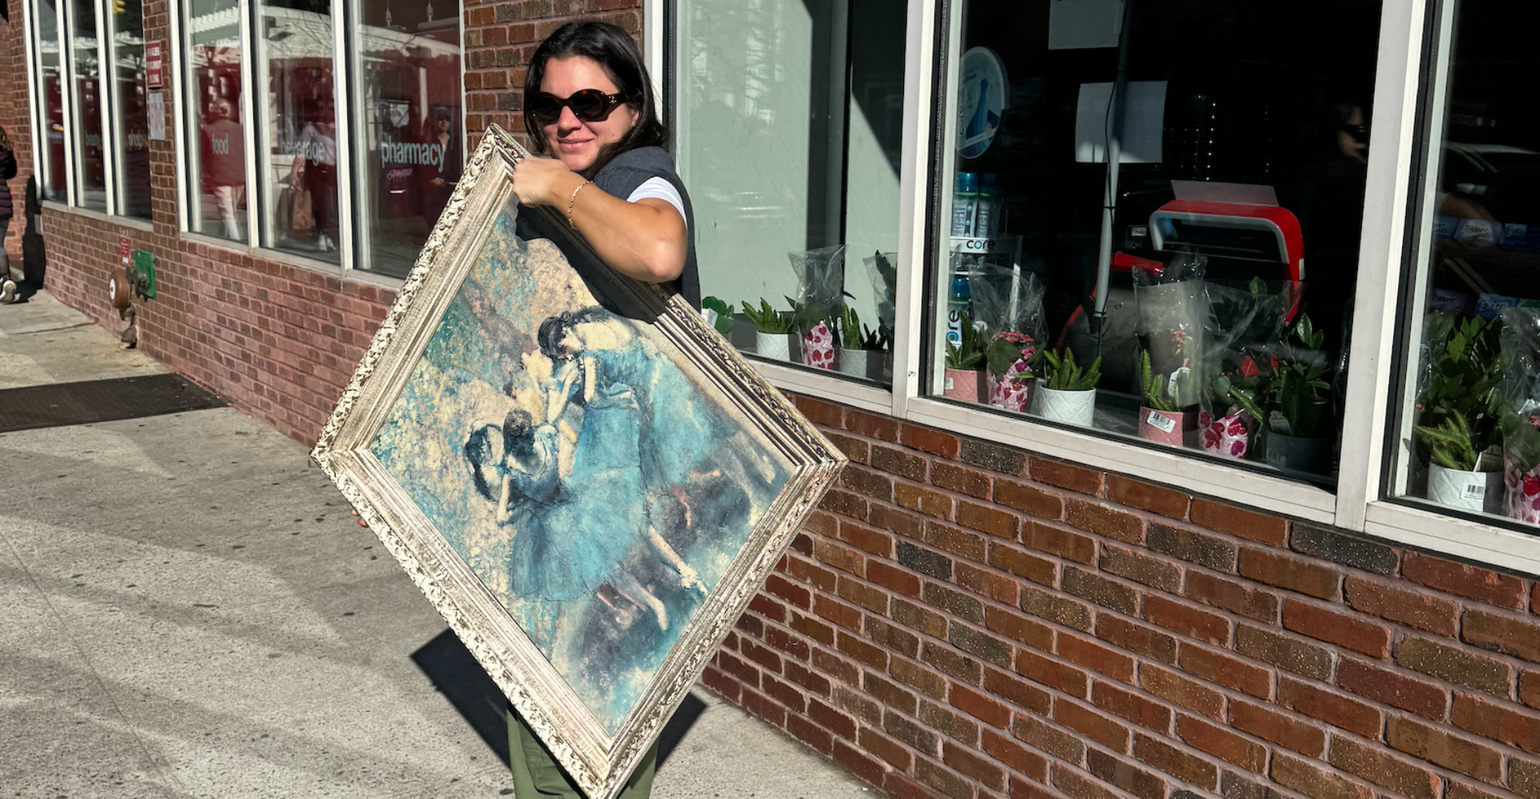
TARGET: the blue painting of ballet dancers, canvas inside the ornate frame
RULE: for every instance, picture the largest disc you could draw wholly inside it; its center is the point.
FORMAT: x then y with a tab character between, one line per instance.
584	476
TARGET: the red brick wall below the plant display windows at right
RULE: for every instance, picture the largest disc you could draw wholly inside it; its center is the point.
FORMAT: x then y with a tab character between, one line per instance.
969	621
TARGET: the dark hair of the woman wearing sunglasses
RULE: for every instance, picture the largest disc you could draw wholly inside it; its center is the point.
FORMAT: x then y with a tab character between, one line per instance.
615	52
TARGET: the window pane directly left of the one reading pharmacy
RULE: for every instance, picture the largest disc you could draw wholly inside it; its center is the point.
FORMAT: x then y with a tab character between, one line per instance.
300	130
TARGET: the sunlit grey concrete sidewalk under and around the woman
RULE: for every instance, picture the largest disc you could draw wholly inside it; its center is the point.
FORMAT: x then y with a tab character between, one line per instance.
192	610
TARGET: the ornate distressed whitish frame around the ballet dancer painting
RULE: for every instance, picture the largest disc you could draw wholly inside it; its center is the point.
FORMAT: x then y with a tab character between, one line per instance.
595	760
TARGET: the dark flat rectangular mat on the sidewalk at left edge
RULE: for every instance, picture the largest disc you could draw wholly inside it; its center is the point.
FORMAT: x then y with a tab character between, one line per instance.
101	401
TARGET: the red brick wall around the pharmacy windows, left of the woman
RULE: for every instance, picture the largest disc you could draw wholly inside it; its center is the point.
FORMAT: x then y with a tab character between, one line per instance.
276	339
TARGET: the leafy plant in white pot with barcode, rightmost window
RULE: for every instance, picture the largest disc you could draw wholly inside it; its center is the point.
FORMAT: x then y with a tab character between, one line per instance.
1459	415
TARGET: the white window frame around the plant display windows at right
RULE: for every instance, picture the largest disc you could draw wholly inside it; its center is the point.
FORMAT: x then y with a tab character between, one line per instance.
1359	503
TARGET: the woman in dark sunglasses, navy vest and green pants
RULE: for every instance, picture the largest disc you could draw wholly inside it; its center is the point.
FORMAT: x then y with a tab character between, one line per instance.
591	115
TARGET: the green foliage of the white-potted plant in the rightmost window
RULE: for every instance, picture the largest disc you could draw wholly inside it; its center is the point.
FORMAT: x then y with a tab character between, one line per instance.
1461	407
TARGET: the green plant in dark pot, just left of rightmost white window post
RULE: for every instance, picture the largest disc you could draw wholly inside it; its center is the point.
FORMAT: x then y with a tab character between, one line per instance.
1301	421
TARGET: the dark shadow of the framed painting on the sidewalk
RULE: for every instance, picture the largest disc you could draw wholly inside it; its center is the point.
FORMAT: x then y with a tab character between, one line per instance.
463	681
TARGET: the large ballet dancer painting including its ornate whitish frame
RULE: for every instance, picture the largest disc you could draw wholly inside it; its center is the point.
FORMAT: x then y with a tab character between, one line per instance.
581	475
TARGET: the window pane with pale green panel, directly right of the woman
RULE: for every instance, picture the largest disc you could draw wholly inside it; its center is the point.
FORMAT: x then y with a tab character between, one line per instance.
789	132
